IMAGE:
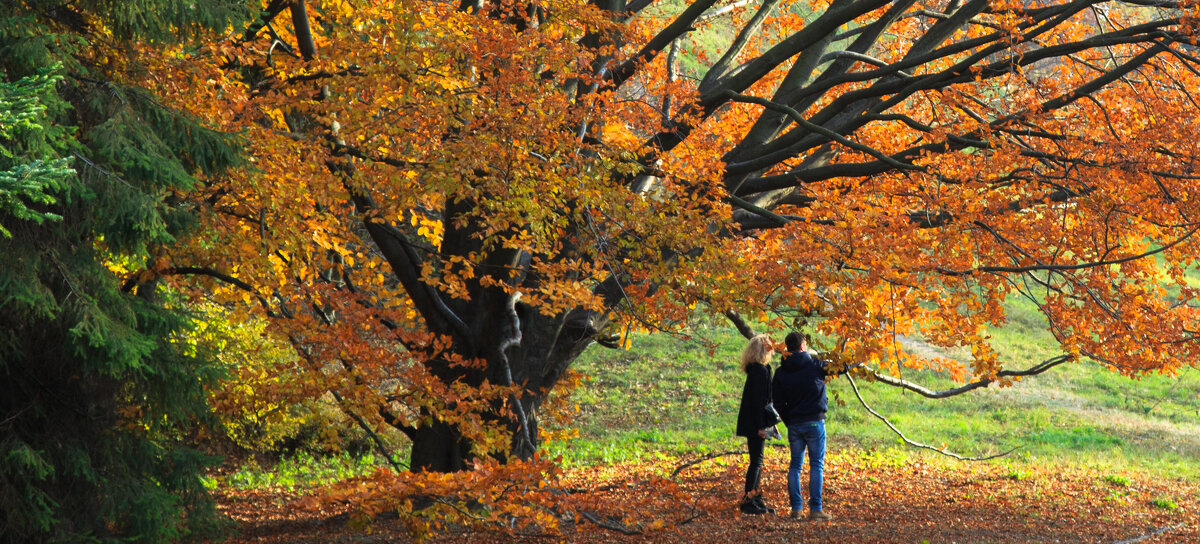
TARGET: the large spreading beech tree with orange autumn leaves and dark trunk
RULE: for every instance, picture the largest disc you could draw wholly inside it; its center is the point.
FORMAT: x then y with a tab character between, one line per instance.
452	201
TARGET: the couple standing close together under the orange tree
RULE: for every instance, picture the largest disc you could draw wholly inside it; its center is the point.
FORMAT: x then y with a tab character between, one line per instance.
799	396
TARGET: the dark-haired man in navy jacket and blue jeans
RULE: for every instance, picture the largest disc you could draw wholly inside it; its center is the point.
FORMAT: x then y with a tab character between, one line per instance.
799	391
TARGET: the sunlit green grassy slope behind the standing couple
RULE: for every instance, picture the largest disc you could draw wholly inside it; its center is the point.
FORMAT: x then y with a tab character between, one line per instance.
675	396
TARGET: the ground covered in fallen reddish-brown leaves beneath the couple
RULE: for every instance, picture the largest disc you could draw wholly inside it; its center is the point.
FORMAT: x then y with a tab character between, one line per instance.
915	501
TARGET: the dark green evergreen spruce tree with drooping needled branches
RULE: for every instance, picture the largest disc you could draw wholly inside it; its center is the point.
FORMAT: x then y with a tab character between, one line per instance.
97	391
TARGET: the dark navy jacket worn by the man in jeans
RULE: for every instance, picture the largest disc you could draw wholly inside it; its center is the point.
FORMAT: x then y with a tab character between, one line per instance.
799	390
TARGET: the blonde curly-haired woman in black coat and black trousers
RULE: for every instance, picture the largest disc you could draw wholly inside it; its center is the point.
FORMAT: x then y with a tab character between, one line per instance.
753	421
